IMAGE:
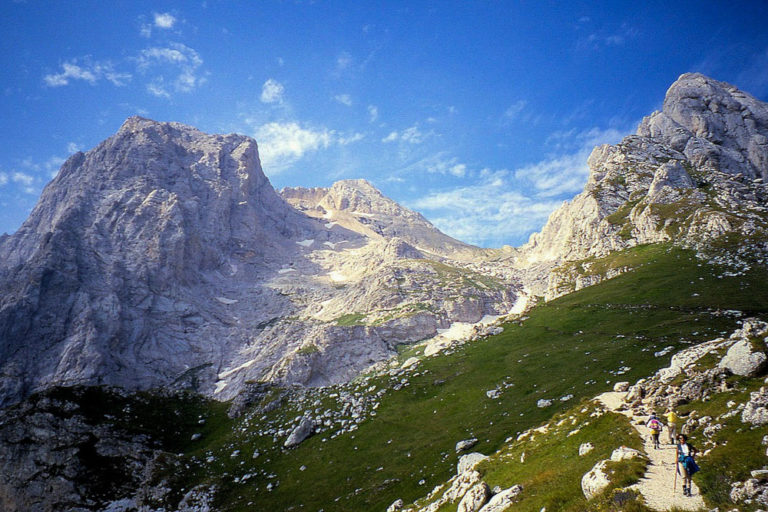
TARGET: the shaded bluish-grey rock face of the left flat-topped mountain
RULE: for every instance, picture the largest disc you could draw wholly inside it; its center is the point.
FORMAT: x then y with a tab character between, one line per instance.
124	271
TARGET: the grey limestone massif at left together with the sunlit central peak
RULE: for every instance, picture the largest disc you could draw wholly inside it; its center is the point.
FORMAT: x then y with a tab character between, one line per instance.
164	257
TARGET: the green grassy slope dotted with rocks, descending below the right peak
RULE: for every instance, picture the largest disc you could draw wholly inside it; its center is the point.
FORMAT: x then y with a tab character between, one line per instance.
576	345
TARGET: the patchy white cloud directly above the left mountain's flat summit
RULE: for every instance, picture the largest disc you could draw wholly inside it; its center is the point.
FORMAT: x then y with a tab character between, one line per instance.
174	68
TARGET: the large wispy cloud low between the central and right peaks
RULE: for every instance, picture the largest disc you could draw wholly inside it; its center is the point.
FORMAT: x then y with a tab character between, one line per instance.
506	206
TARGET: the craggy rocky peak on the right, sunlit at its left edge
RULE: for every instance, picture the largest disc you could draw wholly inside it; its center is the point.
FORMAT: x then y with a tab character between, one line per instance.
693	174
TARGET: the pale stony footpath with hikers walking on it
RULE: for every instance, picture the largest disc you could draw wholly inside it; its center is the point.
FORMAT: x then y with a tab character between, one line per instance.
656	485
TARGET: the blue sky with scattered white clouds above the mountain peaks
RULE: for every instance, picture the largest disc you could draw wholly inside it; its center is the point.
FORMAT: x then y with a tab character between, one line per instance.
480	115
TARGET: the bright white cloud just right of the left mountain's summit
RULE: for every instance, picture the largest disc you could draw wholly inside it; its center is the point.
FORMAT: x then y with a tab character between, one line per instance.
283	144
